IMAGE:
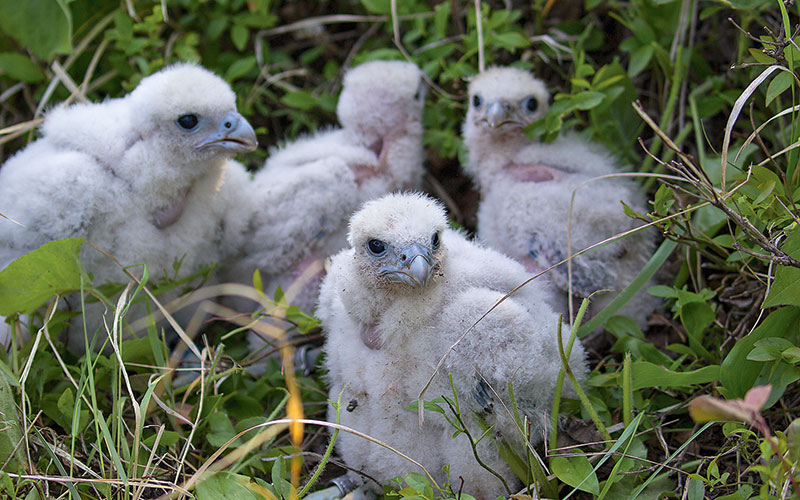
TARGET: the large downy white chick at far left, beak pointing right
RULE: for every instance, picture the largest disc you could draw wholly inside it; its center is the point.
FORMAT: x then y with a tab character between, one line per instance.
144	177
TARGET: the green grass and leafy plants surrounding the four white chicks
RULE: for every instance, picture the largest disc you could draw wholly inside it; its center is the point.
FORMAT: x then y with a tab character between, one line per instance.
706	107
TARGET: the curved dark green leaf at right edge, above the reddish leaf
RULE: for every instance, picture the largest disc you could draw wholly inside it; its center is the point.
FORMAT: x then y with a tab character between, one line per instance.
737	373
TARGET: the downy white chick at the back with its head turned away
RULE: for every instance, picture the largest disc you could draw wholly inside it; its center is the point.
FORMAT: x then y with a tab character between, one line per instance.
378	149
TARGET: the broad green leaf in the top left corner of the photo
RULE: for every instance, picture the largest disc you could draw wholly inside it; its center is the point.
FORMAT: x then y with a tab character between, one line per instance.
42	26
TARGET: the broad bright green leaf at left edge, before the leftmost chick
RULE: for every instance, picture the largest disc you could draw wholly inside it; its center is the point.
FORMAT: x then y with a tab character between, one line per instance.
32	279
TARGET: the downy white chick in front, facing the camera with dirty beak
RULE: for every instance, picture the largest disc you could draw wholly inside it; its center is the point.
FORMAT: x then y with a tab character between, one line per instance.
393	304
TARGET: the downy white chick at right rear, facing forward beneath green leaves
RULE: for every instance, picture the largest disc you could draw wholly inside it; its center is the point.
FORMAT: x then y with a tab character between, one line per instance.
526	188
